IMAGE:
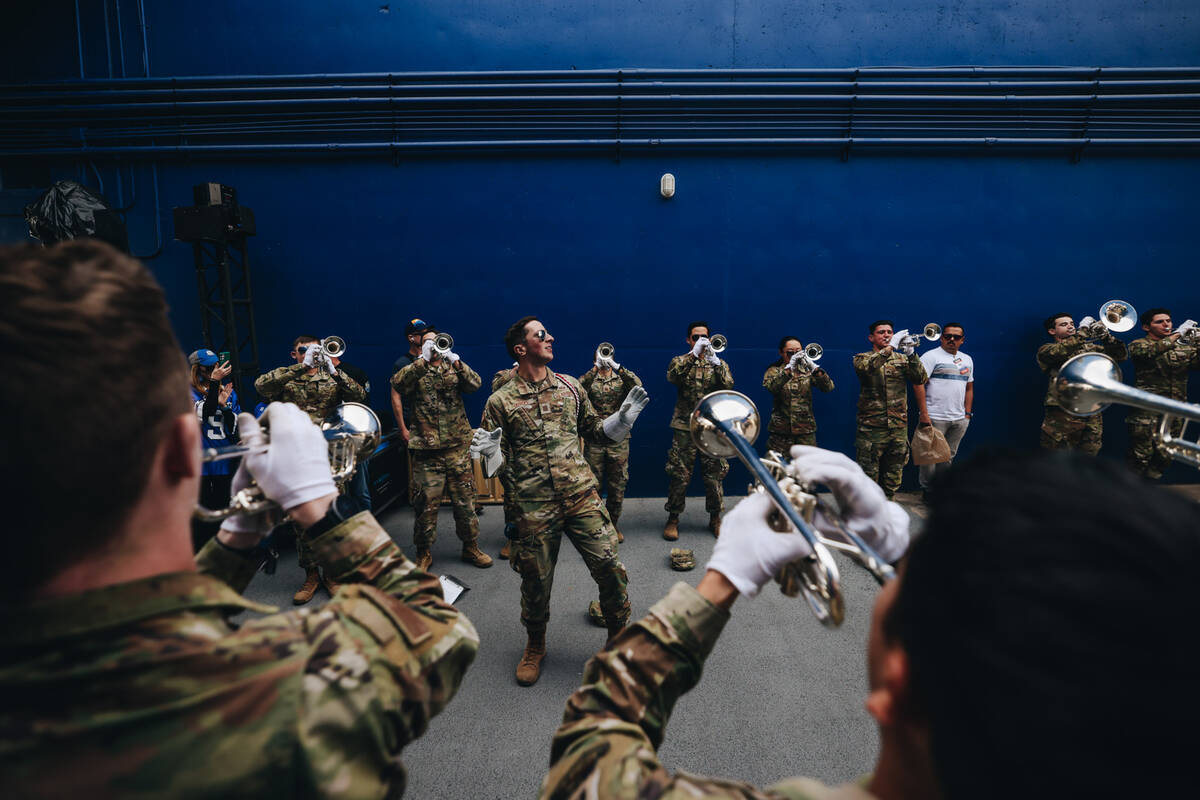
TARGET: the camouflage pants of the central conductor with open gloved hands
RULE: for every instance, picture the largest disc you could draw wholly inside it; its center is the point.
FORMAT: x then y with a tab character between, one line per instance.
535	555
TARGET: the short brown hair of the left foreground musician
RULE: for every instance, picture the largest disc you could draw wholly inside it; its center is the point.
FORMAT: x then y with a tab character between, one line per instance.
98	376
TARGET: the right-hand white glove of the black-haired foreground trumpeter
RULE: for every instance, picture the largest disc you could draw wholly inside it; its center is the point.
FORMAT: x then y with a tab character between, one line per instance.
862	504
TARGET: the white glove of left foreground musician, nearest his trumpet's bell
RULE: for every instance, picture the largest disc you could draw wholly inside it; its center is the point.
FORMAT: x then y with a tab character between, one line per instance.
296	468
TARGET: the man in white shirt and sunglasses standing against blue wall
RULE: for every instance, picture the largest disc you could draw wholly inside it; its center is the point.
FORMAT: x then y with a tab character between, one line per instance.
950	394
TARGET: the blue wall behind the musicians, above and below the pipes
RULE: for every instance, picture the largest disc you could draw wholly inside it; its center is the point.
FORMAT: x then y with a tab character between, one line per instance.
760	244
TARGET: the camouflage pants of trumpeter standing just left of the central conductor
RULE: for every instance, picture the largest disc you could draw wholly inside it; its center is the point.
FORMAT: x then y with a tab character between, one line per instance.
437	473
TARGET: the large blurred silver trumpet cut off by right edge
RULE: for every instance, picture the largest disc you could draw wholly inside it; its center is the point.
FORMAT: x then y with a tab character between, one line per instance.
1091	382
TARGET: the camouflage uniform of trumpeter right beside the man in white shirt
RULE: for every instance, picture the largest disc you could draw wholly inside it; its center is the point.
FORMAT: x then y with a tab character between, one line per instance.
881	443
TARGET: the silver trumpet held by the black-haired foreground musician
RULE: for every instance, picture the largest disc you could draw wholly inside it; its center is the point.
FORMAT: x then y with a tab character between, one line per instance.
725	424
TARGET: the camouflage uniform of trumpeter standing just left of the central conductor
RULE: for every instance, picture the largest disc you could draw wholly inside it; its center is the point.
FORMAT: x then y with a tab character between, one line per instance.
440	444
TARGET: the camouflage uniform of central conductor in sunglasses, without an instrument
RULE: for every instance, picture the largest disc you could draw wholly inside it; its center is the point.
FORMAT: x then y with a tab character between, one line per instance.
555	492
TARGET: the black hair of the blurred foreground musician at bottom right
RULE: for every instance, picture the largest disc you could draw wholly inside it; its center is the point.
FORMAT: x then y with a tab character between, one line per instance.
1046	612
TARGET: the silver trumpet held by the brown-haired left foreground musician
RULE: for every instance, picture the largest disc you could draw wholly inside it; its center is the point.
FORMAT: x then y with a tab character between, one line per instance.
352	432
